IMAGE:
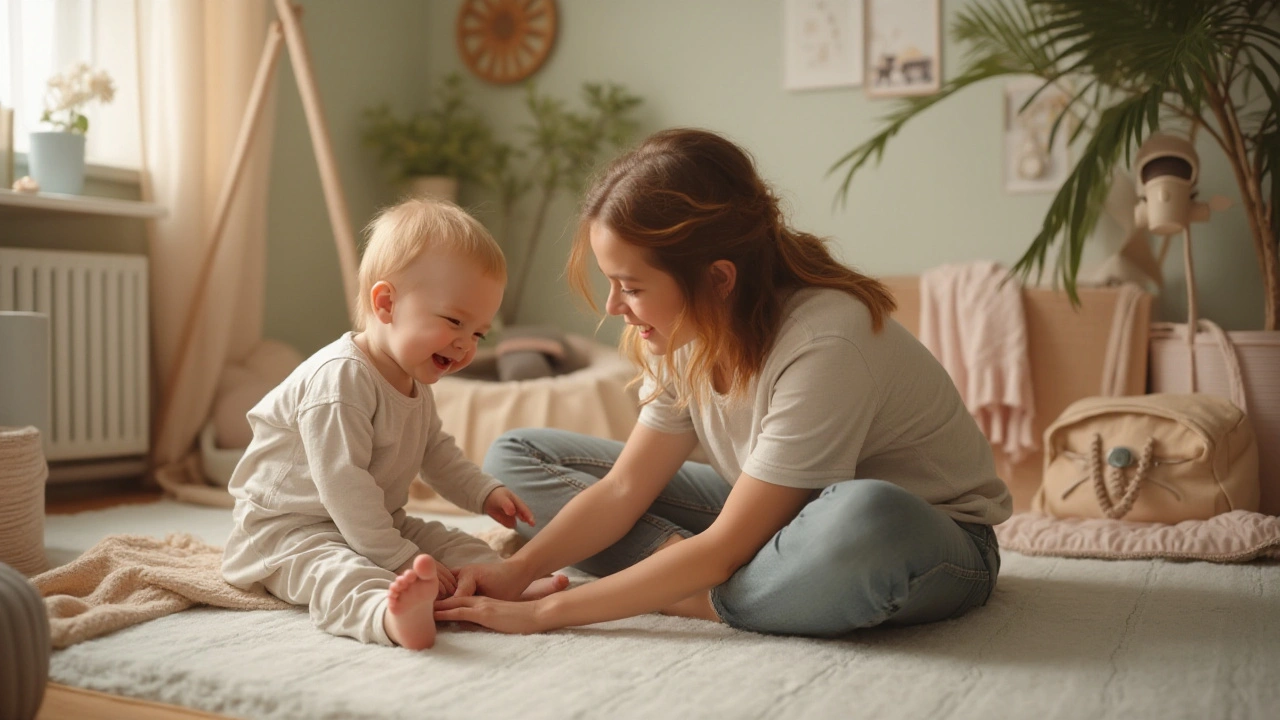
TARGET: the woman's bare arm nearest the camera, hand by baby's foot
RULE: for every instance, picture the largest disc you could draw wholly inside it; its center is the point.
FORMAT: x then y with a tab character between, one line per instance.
755	513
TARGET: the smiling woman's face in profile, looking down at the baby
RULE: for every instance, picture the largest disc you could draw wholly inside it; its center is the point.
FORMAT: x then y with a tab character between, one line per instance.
647	298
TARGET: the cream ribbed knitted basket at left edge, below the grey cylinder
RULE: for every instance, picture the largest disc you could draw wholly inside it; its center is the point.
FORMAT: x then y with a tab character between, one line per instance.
22	500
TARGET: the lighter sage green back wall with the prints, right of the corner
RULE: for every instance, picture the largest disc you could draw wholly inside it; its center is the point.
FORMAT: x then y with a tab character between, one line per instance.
938	197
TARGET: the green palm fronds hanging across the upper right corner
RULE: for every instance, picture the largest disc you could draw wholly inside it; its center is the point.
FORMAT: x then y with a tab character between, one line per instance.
1130	69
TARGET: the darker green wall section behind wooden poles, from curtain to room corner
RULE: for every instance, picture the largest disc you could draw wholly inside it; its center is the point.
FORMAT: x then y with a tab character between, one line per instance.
362	54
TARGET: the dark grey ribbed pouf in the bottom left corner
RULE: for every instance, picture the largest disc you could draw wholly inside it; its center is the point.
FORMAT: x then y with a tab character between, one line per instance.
24	646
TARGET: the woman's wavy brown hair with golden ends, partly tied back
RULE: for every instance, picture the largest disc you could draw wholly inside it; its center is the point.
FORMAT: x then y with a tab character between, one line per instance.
689	198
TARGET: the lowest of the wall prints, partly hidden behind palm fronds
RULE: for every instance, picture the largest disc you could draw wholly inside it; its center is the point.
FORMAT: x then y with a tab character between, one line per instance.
1031	163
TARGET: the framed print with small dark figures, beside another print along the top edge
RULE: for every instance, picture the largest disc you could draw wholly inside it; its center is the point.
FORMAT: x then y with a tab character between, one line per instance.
904	48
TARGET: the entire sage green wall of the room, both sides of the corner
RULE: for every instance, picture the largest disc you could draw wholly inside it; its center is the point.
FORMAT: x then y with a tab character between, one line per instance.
938	198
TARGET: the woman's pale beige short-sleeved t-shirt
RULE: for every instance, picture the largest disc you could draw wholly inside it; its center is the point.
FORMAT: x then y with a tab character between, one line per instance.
836	402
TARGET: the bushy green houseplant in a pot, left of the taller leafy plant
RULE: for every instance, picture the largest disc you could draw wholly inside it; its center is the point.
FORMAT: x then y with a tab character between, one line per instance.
450	139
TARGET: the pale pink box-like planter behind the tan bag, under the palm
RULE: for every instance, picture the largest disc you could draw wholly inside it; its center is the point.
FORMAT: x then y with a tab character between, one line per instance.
1259	358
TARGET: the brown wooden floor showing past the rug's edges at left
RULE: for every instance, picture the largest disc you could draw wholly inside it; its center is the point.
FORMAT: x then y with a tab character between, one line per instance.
63	703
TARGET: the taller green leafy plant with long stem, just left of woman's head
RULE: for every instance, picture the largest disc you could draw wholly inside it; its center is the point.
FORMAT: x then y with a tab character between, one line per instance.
563	149
